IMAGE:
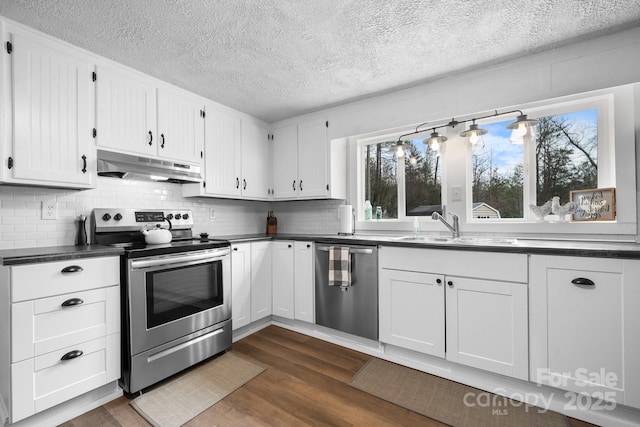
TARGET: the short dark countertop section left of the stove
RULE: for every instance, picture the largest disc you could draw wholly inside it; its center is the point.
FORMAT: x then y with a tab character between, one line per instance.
55	253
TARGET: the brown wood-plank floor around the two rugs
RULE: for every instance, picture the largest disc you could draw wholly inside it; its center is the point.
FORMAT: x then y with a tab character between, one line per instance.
306	383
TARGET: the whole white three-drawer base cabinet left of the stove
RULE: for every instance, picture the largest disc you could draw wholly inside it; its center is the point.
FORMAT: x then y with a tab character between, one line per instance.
64	331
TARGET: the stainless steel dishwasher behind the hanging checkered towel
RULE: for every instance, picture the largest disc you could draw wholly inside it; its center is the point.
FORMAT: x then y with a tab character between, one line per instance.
355	309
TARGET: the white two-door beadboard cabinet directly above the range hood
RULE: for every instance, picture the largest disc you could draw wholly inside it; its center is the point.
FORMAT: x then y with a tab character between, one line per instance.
137	116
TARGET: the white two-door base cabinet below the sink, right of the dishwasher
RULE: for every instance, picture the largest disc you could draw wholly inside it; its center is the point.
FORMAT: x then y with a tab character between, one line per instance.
474	302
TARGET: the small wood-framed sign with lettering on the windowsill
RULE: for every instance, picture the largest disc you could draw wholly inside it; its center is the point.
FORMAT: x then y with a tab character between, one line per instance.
598	204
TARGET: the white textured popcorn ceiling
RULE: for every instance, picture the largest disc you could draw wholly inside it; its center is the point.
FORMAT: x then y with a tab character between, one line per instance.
276	59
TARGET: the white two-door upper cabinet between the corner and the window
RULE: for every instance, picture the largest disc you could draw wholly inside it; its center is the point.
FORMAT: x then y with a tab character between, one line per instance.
305	164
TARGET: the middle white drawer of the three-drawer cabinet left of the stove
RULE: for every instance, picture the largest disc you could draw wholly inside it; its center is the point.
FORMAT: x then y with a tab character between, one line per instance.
44	325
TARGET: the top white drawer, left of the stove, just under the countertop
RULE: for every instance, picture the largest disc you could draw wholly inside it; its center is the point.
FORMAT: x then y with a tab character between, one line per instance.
53	278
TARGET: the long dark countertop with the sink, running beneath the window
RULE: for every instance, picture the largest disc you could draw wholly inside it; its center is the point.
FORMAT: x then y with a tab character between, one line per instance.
603	249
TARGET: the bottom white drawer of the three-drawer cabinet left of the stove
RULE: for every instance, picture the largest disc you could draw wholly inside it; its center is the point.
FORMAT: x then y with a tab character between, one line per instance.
45	381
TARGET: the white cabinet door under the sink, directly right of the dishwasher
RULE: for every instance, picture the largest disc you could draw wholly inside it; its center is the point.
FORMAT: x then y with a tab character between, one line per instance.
412	310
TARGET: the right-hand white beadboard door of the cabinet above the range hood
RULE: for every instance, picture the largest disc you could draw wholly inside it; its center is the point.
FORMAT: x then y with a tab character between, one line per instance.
180	126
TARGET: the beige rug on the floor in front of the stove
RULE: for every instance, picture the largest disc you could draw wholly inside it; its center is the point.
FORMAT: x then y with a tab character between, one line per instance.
189	394
